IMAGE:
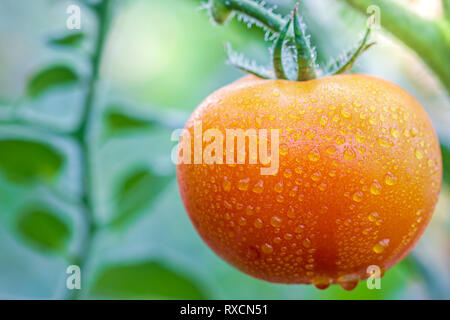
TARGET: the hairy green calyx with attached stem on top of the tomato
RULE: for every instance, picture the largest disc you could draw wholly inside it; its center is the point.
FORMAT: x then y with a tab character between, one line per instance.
289	33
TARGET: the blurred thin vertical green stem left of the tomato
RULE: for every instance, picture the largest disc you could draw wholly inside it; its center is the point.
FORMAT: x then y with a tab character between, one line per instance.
83	137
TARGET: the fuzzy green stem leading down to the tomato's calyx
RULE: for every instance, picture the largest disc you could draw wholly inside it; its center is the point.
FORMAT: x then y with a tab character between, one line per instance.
256	11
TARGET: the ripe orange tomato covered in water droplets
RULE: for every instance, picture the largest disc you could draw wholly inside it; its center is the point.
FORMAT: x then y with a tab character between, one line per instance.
359	175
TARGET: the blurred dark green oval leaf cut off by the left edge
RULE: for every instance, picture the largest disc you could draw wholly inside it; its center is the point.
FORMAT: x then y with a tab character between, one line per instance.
24	161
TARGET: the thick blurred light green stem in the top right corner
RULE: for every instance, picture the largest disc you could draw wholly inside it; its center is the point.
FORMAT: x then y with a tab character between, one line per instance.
429	39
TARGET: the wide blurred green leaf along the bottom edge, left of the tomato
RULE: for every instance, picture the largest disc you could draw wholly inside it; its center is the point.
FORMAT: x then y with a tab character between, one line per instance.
144	280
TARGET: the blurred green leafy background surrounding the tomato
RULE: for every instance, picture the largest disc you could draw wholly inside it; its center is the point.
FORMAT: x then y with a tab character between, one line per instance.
161	58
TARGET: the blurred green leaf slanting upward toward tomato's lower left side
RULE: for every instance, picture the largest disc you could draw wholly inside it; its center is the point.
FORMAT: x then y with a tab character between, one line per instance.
135	193
